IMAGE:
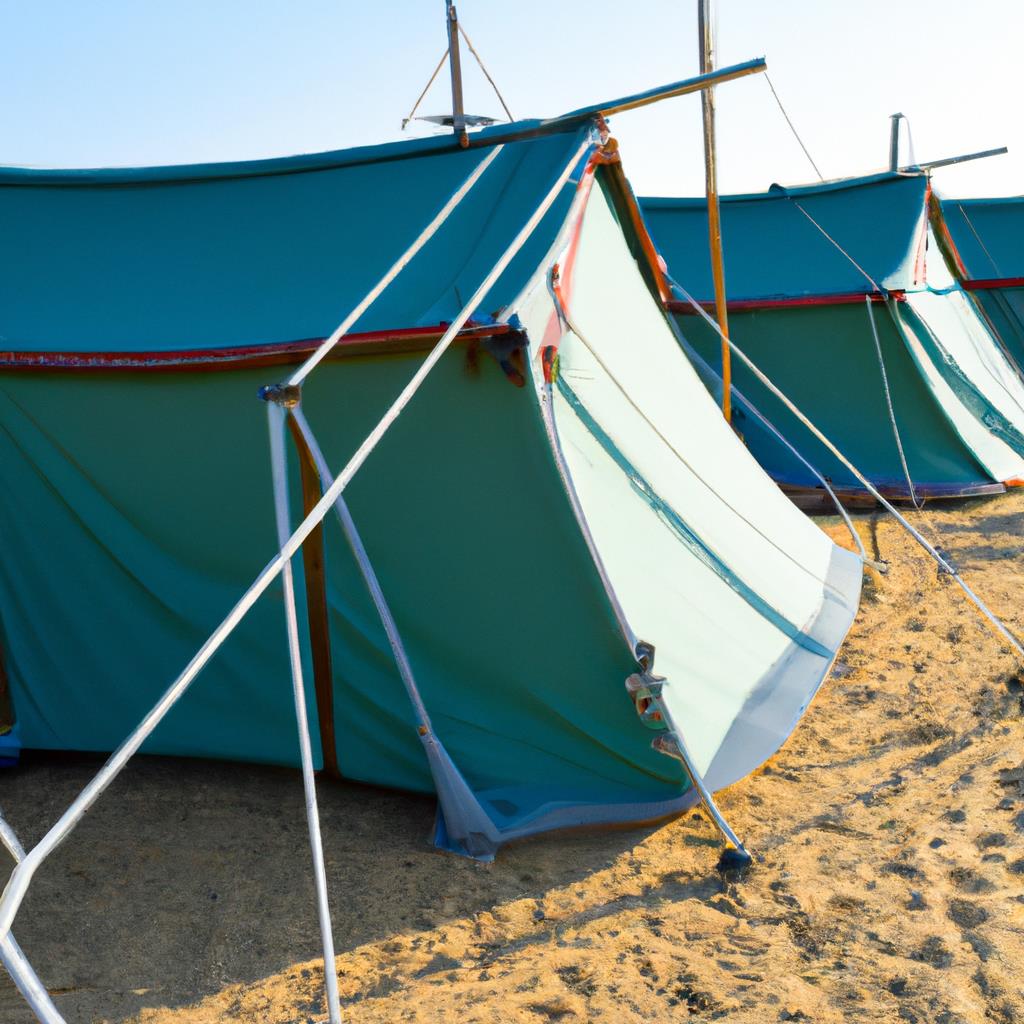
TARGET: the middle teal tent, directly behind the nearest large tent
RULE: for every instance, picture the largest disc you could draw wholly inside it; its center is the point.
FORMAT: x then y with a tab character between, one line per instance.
834	295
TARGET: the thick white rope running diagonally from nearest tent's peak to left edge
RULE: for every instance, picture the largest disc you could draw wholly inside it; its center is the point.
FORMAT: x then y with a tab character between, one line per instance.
21	878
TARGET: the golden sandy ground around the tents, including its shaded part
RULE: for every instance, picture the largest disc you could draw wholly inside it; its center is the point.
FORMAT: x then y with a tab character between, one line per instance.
889	882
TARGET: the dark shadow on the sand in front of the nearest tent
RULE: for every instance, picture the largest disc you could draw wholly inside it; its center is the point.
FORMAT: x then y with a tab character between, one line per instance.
192	876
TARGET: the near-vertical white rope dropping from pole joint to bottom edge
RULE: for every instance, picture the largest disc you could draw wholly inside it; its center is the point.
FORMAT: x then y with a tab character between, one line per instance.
276	422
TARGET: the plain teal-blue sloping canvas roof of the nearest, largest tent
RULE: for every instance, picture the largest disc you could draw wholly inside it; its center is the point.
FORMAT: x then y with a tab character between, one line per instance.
267	252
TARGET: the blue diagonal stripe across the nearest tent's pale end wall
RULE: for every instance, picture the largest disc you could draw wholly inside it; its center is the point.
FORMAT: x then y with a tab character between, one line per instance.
696	545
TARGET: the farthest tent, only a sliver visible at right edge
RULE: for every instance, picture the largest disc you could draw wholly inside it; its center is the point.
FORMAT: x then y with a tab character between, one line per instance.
983	242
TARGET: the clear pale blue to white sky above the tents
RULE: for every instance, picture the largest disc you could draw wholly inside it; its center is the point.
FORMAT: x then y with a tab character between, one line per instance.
122	82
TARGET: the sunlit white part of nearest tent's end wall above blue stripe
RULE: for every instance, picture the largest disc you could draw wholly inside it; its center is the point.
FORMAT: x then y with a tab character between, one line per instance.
727	497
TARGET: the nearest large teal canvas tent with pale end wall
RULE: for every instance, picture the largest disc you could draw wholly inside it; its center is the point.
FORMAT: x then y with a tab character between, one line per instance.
548	565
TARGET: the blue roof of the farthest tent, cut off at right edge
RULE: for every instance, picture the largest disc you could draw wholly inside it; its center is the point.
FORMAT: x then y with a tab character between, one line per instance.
989	235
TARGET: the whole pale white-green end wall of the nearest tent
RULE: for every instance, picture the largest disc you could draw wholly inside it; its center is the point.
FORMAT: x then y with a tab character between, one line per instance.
700	601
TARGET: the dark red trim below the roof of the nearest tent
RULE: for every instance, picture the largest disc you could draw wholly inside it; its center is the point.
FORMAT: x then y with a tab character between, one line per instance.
377	343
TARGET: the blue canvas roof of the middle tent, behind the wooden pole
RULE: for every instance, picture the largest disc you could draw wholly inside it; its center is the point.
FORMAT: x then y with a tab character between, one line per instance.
774	251
